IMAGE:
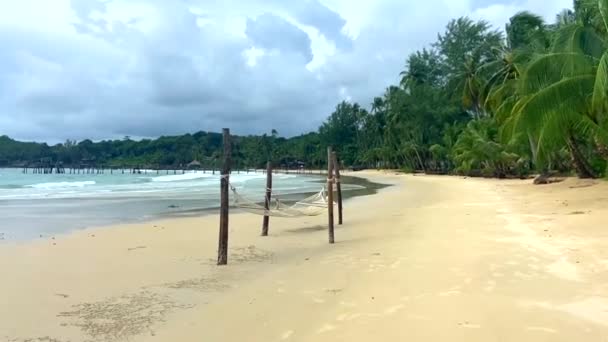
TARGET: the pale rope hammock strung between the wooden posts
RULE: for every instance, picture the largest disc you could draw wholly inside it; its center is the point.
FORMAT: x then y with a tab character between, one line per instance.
311	206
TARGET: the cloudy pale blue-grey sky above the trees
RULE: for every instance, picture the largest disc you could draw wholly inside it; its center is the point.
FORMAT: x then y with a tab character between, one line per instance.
104	69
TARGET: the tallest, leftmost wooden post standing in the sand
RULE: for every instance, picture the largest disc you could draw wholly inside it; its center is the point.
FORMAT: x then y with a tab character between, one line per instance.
222	251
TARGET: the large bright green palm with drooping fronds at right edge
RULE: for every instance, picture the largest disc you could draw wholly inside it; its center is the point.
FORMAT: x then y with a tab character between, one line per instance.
563	94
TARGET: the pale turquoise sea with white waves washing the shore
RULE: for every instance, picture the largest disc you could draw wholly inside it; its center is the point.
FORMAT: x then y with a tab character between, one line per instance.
32	205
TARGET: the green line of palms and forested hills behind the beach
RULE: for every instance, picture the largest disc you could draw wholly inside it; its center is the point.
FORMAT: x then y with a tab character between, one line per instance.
478	101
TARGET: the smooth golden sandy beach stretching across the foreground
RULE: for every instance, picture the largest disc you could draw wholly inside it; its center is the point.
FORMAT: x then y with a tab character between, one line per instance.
426	259
